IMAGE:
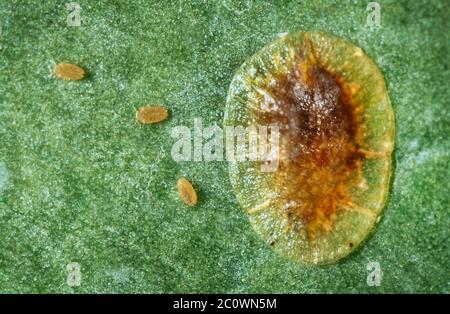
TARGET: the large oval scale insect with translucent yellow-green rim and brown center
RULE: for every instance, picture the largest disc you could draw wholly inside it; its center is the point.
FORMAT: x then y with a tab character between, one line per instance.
336	128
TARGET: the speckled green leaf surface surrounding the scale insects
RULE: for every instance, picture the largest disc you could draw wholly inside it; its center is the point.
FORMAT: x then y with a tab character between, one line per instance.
81	181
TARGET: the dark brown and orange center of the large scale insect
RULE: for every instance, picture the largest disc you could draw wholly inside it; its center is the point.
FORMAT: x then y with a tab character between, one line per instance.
319	129
